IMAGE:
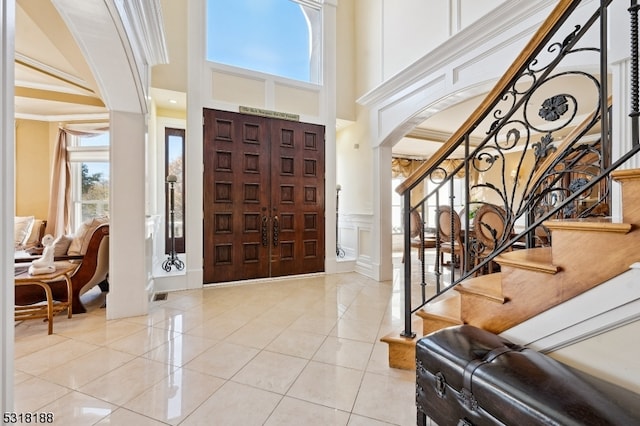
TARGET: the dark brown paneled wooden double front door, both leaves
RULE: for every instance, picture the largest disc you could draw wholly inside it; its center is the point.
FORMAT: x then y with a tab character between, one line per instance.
263	197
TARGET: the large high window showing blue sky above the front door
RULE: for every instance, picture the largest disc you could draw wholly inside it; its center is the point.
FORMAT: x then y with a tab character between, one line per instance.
279	37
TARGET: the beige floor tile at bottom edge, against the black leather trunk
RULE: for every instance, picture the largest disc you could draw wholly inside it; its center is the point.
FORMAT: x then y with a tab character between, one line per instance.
387	398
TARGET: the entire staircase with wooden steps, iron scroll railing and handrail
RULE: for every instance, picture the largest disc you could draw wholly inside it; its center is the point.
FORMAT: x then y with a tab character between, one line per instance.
566	192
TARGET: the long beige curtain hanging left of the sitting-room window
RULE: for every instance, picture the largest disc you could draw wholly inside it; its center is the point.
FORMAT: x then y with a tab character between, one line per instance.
58	217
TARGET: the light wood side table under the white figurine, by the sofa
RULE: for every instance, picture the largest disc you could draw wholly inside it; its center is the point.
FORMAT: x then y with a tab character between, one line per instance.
51	308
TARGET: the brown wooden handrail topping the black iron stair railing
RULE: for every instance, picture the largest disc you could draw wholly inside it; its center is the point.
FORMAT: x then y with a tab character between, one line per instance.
556	18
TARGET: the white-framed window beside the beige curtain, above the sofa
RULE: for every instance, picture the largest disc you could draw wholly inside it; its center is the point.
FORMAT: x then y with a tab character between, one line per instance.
89	161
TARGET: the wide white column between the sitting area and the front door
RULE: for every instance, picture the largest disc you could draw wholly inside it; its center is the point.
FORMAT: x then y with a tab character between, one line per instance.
127	266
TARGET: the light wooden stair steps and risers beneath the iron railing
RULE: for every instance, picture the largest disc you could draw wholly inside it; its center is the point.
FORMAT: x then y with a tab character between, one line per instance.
585	253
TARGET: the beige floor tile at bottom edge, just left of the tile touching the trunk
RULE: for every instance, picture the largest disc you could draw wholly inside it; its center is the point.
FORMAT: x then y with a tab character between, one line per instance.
295	412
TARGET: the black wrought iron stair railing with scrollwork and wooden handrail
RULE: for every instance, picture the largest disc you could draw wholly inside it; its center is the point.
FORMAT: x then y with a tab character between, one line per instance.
537	148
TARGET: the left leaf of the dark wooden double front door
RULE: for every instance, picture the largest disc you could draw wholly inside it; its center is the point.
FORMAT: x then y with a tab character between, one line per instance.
236	182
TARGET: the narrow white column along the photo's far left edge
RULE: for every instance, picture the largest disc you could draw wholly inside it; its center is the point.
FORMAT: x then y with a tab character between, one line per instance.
7	158
